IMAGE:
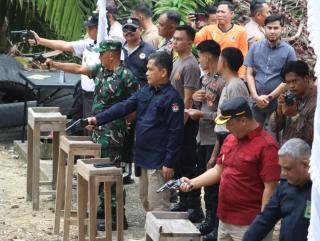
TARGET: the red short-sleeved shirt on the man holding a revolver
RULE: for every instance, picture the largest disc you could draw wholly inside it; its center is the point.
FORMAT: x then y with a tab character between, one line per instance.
247	164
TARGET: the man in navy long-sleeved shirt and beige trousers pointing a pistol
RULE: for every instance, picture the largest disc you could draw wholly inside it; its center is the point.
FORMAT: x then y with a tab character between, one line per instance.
159	129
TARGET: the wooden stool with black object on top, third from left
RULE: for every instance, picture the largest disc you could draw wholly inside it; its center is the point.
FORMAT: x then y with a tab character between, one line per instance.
89	177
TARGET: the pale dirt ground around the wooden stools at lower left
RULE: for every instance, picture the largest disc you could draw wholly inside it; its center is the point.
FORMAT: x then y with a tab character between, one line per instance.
19	223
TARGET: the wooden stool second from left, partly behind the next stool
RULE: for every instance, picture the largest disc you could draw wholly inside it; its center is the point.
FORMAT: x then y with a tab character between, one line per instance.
70	146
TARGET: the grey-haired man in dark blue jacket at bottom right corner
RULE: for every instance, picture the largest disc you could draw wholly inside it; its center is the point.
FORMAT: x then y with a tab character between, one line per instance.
291	200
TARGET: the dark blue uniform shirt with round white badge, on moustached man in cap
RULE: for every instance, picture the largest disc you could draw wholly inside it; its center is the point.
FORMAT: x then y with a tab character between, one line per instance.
137	61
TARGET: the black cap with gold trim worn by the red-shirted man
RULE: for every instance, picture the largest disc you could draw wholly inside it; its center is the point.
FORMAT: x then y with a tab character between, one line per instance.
233	108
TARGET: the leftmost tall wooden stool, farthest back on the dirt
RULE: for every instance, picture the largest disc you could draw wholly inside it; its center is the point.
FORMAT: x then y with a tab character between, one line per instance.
42	119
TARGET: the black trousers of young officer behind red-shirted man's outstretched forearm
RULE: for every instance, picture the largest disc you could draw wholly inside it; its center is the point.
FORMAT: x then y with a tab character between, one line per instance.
211	192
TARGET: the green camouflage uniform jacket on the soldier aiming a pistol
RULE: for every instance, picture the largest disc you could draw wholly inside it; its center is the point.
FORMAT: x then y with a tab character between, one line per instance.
111	88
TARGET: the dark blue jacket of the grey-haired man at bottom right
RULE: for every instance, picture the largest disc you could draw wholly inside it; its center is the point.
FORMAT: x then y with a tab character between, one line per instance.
288	203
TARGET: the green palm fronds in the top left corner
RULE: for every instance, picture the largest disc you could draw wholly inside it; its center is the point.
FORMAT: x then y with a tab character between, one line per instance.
51	18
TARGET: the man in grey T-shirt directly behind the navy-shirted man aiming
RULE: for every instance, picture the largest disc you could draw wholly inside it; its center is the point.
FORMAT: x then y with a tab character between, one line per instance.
185	77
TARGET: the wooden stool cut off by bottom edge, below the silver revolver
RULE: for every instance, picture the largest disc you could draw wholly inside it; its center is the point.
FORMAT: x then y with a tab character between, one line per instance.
170	226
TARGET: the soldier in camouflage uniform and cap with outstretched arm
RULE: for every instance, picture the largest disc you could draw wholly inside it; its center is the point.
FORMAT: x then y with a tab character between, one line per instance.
113	83
